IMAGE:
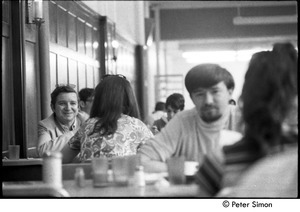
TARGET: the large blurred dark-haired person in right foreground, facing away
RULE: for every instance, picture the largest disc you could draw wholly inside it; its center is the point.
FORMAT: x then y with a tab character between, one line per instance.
268	151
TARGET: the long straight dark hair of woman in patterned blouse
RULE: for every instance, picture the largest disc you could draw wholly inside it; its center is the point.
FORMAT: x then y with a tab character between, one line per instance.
113	96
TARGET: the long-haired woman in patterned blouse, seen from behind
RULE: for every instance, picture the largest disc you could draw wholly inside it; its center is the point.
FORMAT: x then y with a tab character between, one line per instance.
114	128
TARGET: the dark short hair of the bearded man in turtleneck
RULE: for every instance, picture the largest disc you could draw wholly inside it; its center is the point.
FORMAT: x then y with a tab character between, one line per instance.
207	75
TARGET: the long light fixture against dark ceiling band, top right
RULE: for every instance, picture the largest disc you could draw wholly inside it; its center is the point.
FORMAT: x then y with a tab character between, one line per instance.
258	20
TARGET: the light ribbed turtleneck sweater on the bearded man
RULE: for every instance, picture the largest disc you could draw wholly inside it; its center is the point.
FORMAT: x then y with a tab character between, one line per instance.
187	135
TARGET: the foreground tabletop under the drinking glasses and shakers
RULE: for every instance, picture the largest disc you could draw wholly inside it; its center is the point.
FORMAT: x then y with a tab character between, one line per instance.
71	189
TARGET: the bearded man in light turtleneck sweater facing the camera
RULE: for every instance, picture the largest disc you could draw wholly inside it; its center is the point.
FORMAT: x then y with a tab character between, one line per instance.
195	133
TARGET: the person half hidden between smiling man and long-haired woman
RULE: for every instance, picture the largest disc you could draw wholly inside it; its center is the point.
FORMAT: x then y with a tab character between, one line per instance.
86	97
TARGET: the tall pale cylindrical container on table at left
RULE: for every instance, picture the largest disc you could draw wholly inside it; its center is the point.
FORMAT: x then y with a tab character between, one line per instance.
52	168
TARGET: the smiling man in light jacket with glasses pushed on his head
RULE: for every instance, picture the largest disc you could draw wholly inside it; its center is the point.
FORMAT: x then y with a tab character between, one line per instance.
56	130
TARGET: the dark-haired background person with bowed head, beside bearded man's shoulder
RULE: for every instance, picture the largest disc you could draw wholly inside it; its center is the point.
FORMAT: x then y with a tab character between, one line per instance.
174	104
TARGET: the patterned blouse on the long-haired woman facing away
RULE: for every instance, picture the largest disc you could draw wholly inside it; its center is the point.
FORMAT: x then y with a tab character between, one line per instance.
130	134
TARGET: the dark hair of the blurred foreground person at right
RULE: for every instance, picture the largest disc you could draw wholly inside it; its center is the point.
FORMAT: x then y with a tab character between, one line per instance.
267	95
